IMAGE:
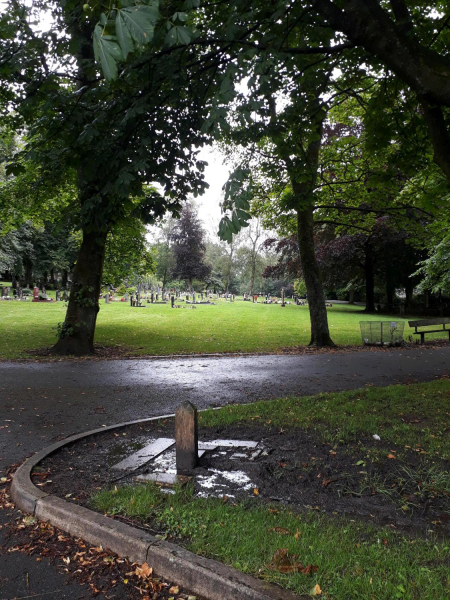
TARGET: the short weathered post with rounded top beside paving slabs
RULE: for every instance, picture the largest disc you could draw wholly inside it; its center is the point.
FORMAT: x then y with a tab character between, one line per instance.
186	438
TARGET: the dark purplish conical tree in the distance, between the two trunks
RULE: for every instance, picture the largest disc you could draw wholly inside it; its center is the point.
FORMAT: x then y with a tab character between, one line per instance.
189	247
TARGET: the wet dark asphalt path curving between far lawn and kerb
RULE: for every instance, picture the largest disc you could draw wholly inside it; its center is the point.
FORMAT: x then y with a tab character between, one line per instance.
41	402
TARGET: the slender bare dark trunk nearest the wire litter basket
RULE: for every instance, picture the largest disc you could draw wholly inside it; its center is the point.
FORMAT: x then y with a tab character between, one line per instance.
320	334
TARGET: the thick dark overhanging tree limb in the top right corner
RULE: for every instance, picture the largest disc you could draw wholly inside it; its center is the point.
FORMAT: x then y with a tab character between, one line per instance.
411	41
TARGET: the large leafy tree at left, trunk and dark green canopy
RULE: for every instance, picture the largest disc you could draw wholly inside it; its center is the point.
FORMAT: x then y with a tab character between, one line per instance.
109	137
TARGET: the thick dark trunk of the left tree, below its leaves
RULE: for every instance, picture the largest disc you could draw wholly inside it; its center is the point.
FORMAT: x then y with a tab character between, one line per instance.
77	333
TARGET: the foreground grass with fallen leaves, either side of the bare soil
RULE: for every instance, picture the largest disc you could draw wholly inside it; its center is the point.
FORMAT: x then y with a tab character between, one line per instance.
354	558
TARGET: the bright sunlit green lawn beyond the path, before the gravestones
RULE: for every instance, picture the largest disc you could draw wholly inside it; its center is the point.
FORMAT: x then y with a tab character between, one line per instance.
160	330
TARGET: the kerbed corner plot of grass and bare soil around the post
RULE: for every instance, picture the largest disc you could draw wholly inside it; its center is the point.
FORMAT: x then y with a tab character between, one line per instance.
327	507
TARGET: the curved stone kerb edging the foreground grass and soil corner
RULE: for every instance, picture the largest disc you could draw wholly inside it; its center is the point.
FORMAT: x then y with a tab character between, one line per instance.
202	576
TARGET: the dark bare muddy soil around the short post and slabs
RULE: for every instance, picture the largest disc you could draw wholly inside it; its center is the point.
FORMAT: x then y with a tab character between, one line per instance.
298	469
